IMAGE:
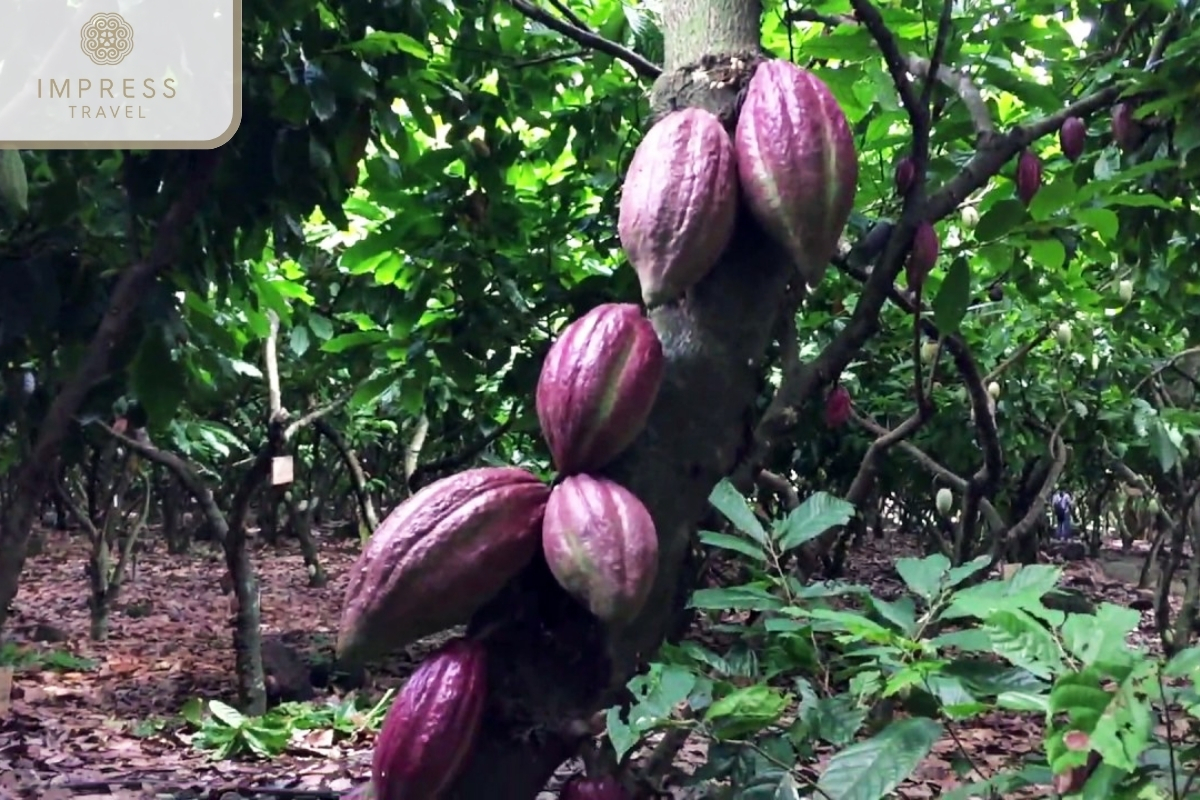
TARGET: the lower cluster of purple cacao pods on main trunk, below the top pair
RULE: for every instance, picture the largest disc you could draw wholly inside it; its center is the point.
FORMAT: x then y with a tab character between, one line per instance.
452	548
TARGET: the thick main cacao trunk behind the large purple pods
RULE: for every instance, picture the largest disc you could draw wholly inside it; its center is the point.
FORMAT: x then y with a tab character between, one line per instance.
551	665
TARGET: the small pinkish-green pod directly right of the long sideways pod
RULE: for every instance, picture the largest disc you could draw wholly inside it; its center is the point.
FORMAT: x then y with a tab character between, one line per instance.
602	546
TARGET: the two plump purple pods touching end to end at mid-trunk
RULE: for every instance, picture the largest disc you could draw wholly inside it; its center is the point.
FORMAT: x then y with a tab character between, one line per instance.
596	393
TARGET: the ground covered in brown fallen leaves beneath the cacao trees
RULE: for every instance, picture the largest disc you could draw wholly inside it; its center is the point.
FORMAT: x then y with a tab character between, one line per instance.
103	720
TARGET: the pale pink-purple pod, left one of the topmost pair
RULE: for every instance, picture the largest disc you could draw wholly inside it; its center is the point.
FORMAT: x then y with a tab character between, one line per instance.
679	204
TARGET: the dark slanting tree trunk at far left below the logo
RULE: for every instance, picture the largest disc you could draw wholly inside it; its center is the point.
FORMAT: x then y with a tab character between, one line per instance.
35	473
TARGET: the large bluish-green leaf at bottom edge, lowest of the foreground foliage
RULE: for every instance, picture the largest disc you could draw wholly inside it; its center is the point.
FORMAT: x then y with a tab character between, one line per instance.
872	769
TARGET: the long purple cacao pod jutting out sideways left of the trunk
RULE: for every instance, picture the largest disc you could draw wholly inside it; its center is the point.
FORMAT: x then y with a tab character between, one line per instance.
439	557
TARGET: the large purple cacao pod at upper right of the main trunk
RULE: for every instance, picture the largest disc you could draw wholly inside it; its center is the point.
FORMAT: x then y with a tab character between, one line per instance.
797	164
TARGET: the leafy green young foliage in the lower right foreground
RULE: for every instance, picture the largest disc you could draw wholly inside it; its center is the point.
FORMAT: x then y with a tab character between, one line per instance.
873	685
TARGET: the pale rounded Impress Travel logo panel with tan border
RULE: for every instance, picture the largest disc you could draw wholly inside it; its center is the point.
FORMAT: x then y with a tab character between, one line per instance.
140	74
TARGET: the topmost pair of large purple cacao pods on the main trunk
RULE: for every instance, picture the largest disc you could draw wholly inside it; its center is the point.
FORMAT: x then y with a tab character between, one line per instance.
791	160
